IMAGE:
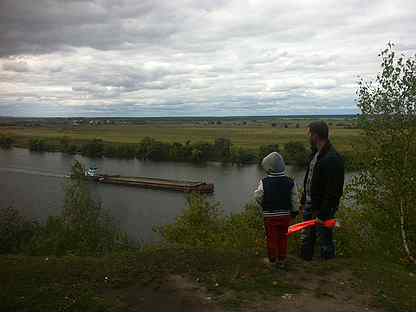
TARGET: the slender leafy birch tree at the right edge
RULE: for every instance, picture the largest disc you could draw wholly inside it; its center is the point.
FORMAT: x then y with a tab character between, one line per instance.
385	190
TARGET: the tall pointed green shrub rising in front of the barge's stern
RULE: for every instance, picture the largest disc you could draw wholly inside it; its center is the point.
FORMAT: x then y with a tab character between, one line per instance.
84	227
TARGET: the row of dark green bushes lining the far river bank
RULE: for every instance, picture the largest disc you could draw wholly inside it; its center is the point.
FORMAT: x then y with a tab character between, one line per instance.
222	149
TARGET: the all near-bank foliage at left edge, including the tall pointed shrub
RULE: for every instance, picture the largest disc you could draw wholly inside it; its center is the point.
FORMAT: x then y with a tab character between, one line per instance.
84	228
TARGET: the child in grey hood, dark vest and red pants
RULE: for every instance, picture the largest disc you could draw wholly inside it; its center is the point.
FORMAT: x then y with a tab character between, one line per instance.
277	194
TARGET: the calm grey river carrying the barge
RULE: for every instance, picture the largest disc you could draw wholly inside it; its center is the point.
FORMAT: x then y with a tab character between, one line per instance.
33	183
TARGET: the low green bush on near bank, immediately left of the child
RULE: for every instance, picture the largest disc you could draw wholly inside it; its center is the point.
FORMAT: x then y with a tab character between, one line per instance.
203	225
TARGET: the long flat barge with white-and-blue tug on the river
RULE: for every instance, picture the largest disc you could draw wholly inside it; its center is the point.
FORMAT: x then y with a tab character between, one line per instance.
153	183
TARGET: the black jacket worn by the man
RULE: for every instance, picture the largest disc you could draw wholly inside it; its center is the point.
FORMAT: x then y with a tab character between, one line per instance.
327	182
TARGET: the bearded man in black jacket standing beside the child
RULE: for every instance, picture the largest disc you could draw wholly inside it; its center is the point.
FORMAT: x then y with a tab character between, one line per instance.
323	188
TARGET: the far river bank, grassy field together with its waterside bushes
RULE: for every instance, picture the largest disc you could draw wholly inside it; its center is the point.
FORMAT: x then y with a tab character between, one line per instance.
177	143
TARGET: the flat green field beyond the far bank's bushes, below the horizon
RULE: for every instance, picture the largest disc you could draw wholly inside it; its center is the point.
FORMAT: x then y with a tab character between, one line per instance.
249	136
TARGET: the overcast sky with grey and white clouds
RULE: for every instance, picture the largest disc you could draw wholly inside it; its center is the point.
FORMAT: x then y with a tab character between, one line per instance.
190	58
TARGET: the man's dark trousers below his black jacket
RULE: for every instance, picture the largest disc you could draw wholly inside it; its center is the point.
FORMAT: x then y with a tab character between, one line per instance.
310	235
